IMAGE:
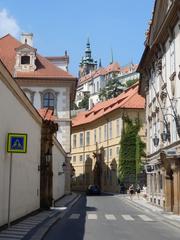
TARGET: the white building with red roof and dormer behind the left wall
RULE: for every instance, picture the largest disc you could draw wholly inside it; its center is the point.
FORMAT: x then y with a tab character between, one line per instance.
44	82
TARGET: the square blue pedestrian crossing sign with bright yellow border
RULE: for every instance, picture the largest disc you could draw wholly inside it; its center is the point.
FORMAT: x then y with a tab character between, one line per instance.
17	143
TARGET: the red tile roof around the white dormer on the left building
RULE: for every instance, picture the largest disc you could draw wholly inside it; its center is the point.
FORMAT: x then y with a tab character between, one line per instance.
45	69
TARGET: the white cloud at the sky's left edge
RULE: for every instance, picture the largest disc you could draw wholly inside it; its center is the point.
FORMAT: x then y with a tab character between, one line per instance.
8	24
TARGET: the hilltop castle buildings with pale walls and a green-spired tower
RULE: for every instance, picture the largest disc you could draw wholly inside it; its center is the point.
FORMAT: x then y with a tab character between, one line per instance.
93	78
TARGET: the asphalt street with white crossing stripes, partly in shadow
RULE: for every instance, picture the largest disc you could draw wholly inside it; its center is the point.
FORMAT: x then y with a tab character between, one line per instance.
108	217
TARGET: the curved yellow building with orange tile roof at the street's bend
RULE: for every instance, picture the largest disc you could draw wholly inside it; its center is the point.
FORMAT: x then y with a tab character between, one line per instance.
95	140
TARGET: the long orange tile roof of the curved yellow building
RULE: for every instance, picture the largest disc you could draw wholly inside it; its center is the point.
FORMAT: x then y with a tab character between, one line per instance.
129	99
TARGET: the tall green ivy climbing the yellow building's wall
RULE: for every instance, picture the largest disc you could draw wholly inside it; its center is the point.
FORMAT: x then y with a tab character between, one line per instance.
131	150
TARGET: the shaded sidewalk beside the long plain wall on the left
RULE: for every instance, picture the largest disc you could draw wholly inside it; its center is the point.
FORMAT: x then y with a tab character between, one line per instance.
36	226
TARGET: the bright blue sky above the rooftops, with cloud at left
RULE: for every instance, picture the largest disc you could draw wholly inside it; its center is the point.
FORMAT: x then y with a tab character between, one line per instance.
58	25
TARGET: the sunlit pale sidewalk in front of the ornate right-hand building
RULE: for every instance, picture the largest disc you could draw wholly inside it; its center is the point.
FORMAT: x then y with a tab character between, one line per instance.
145	205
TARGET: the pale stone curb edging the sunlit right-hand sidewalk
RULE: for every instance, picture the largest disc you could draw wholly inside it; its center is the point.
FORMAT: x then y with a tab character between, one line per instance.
167	221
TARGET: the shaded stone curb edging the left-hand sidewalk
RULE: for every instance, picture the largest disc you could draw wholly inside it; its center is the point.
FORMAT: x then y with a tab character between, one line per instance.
40	233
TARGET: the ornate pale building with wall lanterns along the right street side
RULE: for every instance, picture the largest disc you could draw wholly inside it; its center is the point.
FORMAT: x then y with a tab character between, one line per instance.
159	83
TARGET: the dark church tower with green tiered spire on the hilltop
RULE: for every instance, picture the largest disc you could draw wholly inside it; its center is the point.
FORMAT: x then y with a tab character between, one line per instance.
87	63
